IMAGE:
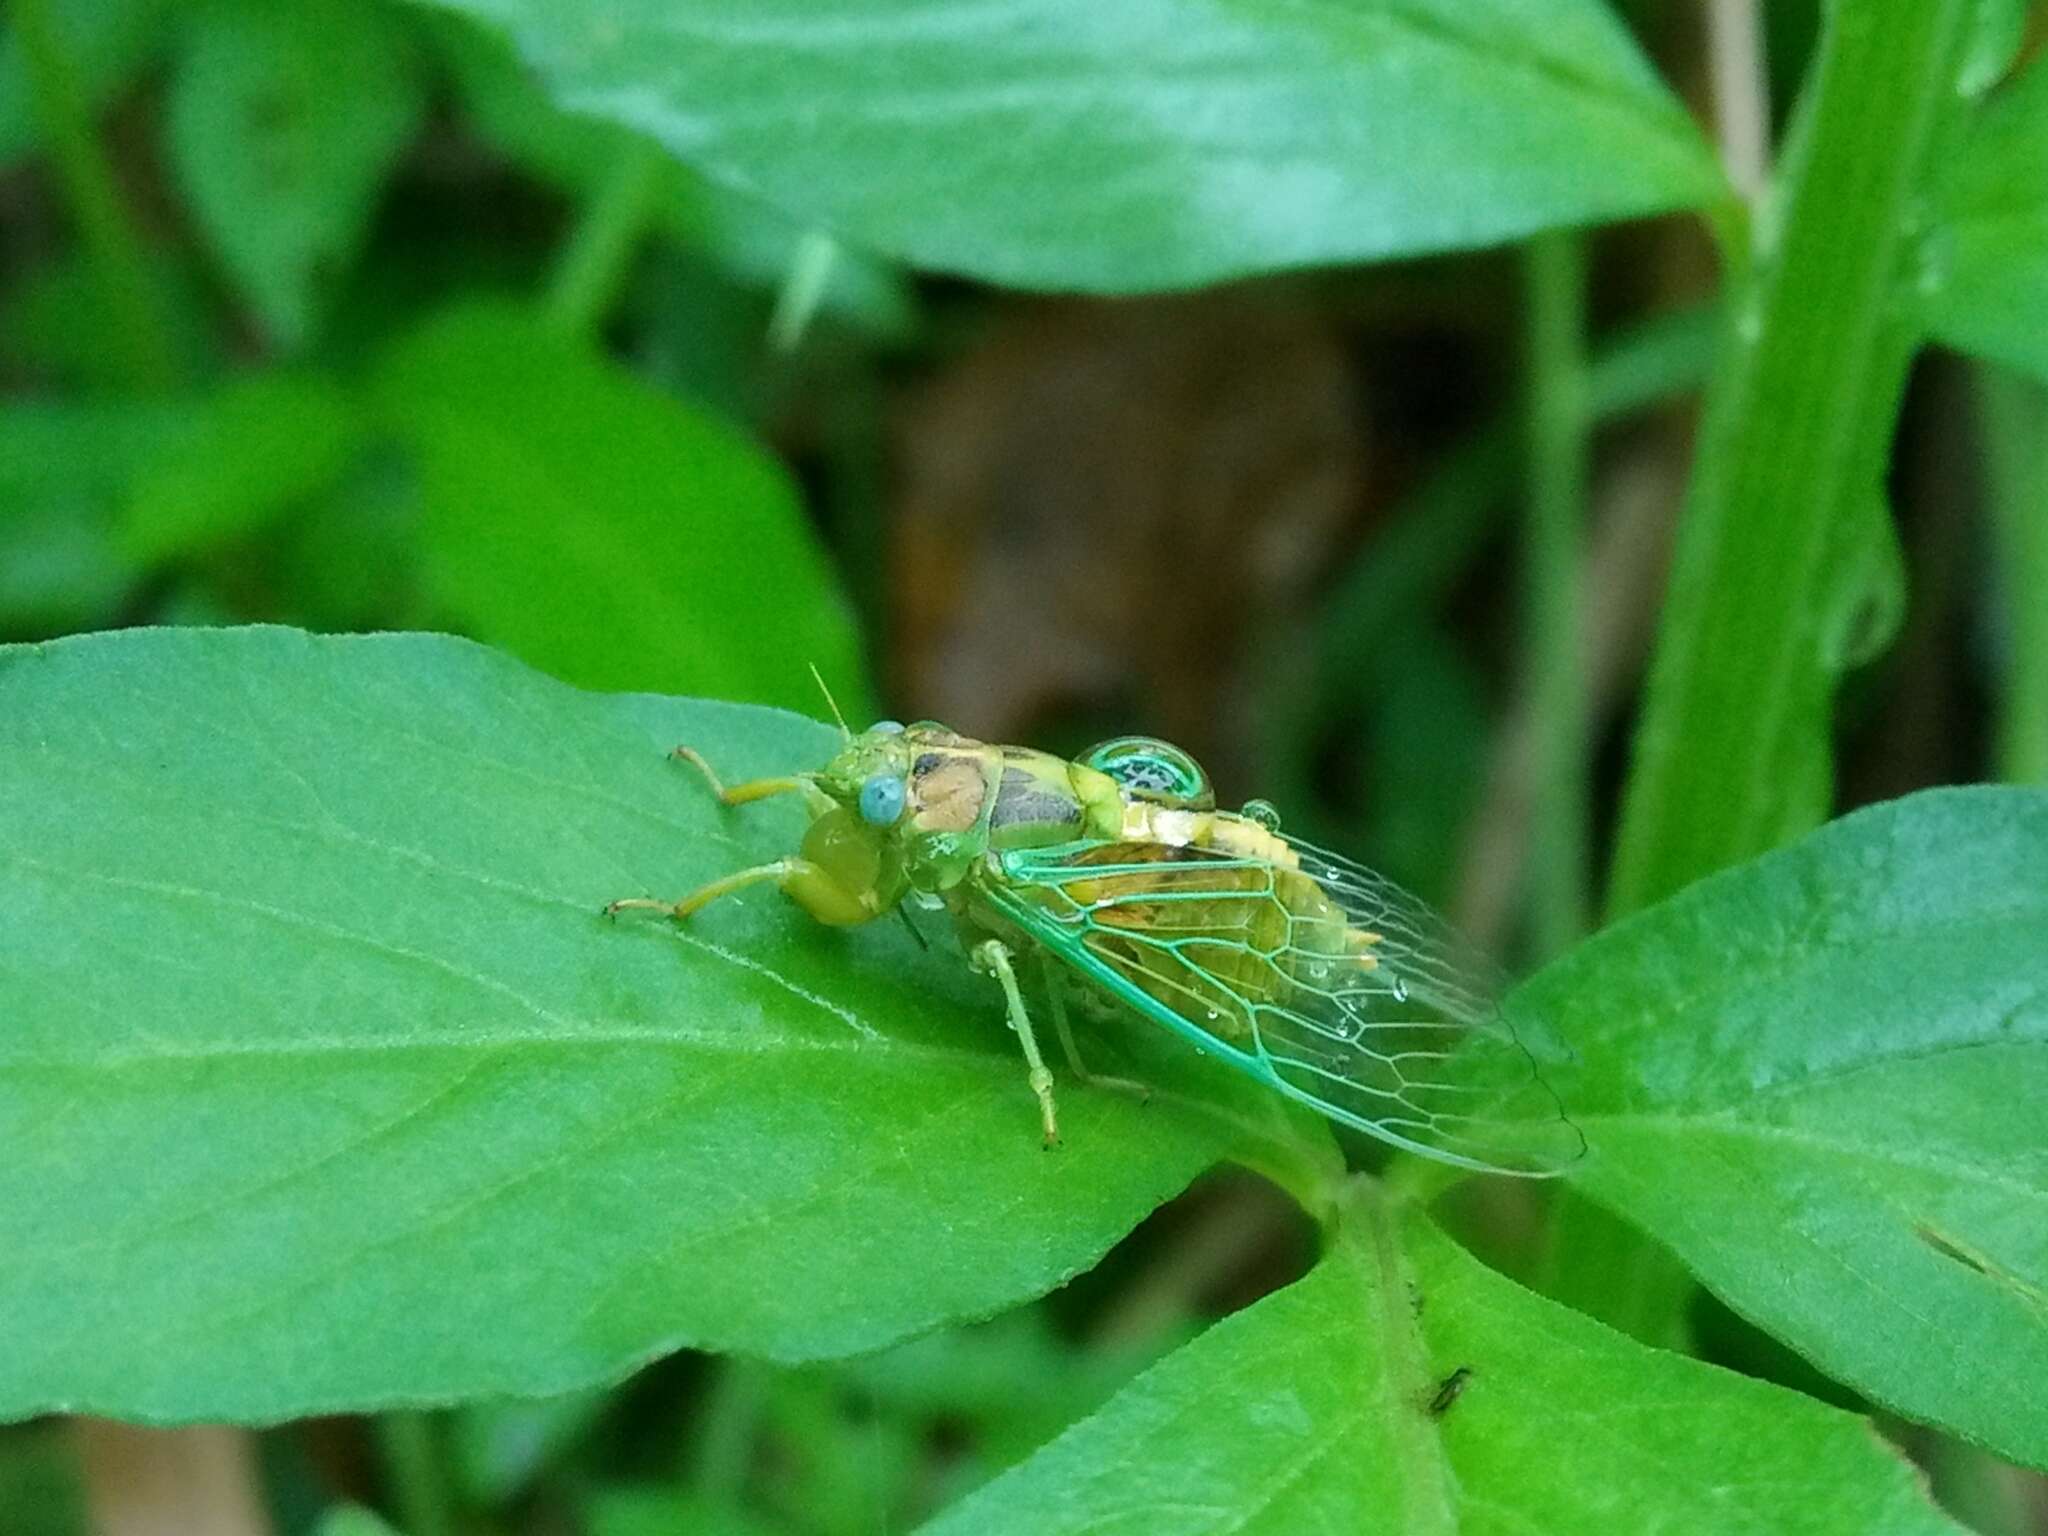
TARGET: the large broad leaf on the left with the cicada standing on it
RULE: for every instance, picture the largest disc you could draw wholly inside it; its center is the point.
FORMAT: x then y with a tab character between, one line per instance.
327	1084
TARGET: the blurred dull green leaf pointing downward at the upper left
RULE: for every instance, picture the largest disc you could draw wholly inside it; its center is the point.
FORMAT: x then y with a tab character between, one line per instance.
282	126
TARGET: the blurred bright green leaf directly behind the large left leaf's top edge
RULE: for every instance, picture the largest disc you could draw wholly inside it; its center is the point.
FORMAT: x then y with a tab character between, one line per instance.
607	534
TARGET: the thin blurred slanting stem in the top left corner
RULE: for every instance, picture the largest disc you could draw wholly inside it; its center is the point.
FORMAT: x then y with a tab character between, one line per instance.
114	247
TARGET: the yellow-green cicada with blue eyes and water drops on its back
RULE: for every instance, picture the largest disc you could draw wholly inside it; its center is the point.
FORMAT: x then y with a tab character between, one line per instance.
1127	884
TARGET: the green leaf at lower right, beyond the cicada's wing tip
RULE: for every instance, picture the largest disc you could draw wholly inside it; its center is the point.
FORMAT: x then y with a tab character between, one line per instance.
1820	1080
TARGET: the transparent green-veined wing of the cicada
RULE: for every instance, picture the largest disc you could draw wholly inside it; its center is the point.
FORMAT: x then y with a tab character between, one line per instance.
1316	976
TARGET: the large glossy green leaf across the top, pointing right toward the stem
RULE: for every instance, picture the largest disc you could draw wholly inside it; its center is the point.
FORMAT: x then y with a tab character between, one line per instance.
1146	144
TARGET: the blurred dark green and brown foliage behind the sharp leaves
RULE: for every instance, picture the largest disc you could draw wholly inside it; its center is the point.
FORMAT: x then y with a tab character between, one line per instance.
327	314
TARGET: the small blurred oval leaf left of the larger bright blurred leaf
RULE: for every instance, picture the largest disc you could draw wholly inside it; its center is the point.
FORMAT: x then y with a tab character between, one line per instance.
255	450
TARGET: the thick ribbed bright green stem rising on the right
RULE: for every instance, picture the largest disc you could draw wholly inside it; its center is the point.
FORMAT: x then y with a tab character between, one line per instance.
1785	540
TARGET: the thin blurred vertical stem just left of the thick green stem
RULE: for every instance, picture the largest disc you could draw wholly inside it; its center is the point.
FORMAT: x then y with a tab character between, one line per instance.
1558	425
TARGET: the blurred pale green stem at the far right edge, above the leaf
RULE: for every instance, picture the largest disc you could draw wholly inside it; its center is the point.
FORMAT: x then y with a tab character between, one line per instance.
2016	464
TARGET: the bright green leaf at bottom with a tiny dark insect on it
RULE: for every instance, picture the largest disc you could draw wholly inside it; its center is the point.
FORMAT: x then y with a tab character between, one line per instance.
1312	1410
